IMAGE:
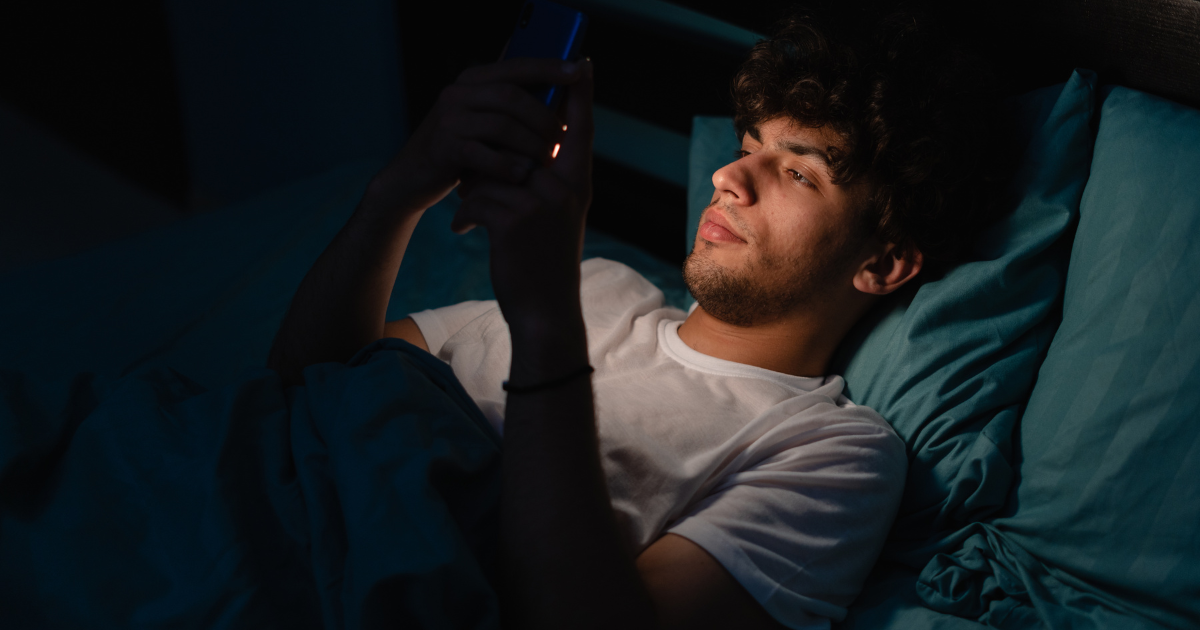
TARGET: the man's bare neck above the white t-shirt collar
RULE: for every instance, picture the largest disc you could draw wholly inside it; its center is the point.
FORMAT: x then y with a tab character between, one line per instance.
800	345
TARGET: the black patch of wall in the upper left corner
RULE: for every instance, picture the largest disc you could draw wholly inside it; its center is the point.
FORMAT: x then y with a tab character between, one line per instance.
101	76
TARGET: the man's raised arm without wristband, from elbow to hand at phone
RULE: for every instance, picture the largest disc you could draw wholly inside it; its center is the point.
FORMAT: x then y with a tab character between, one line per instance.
484	127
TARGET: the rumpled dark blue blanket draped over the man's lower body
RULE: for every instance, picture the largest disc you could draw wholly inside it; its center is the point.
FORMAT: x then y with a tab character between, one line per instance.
365	499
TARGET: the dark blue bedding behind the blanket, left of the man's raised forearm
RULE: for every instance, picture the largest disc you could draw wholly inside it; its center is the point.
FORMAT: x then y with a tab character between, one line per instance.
203	296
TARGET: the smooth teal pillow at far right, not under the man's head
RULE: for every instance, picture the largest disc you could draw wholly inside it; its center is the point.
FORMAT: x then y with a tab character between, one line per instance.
1105	529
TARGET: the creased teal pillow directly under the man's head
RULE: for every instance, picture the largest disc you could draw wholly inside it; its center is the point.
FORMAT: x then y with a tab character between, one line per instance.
951	363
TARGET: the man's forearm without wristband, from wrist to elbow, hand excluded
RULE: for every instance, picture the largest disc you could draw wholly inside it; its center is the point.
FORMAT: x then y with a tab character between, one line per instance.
343	302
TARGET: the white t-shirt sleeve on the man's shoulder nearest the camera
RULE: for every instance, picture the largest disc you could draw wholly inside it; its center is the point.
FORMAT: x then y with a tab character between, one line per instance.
802	529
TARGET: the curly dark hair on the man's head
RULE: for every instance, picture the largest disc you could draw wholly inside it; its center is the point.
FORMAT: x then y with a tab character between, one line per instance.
917	118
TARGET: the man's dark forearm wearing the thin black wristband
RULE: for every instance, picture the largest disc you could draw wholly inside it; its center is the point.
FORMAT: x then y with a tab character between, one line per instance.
566	561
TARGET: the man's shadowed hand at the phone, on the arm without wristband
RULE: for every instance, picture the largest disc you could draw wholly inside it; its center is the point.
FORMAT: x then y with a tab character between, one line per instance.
484	127
